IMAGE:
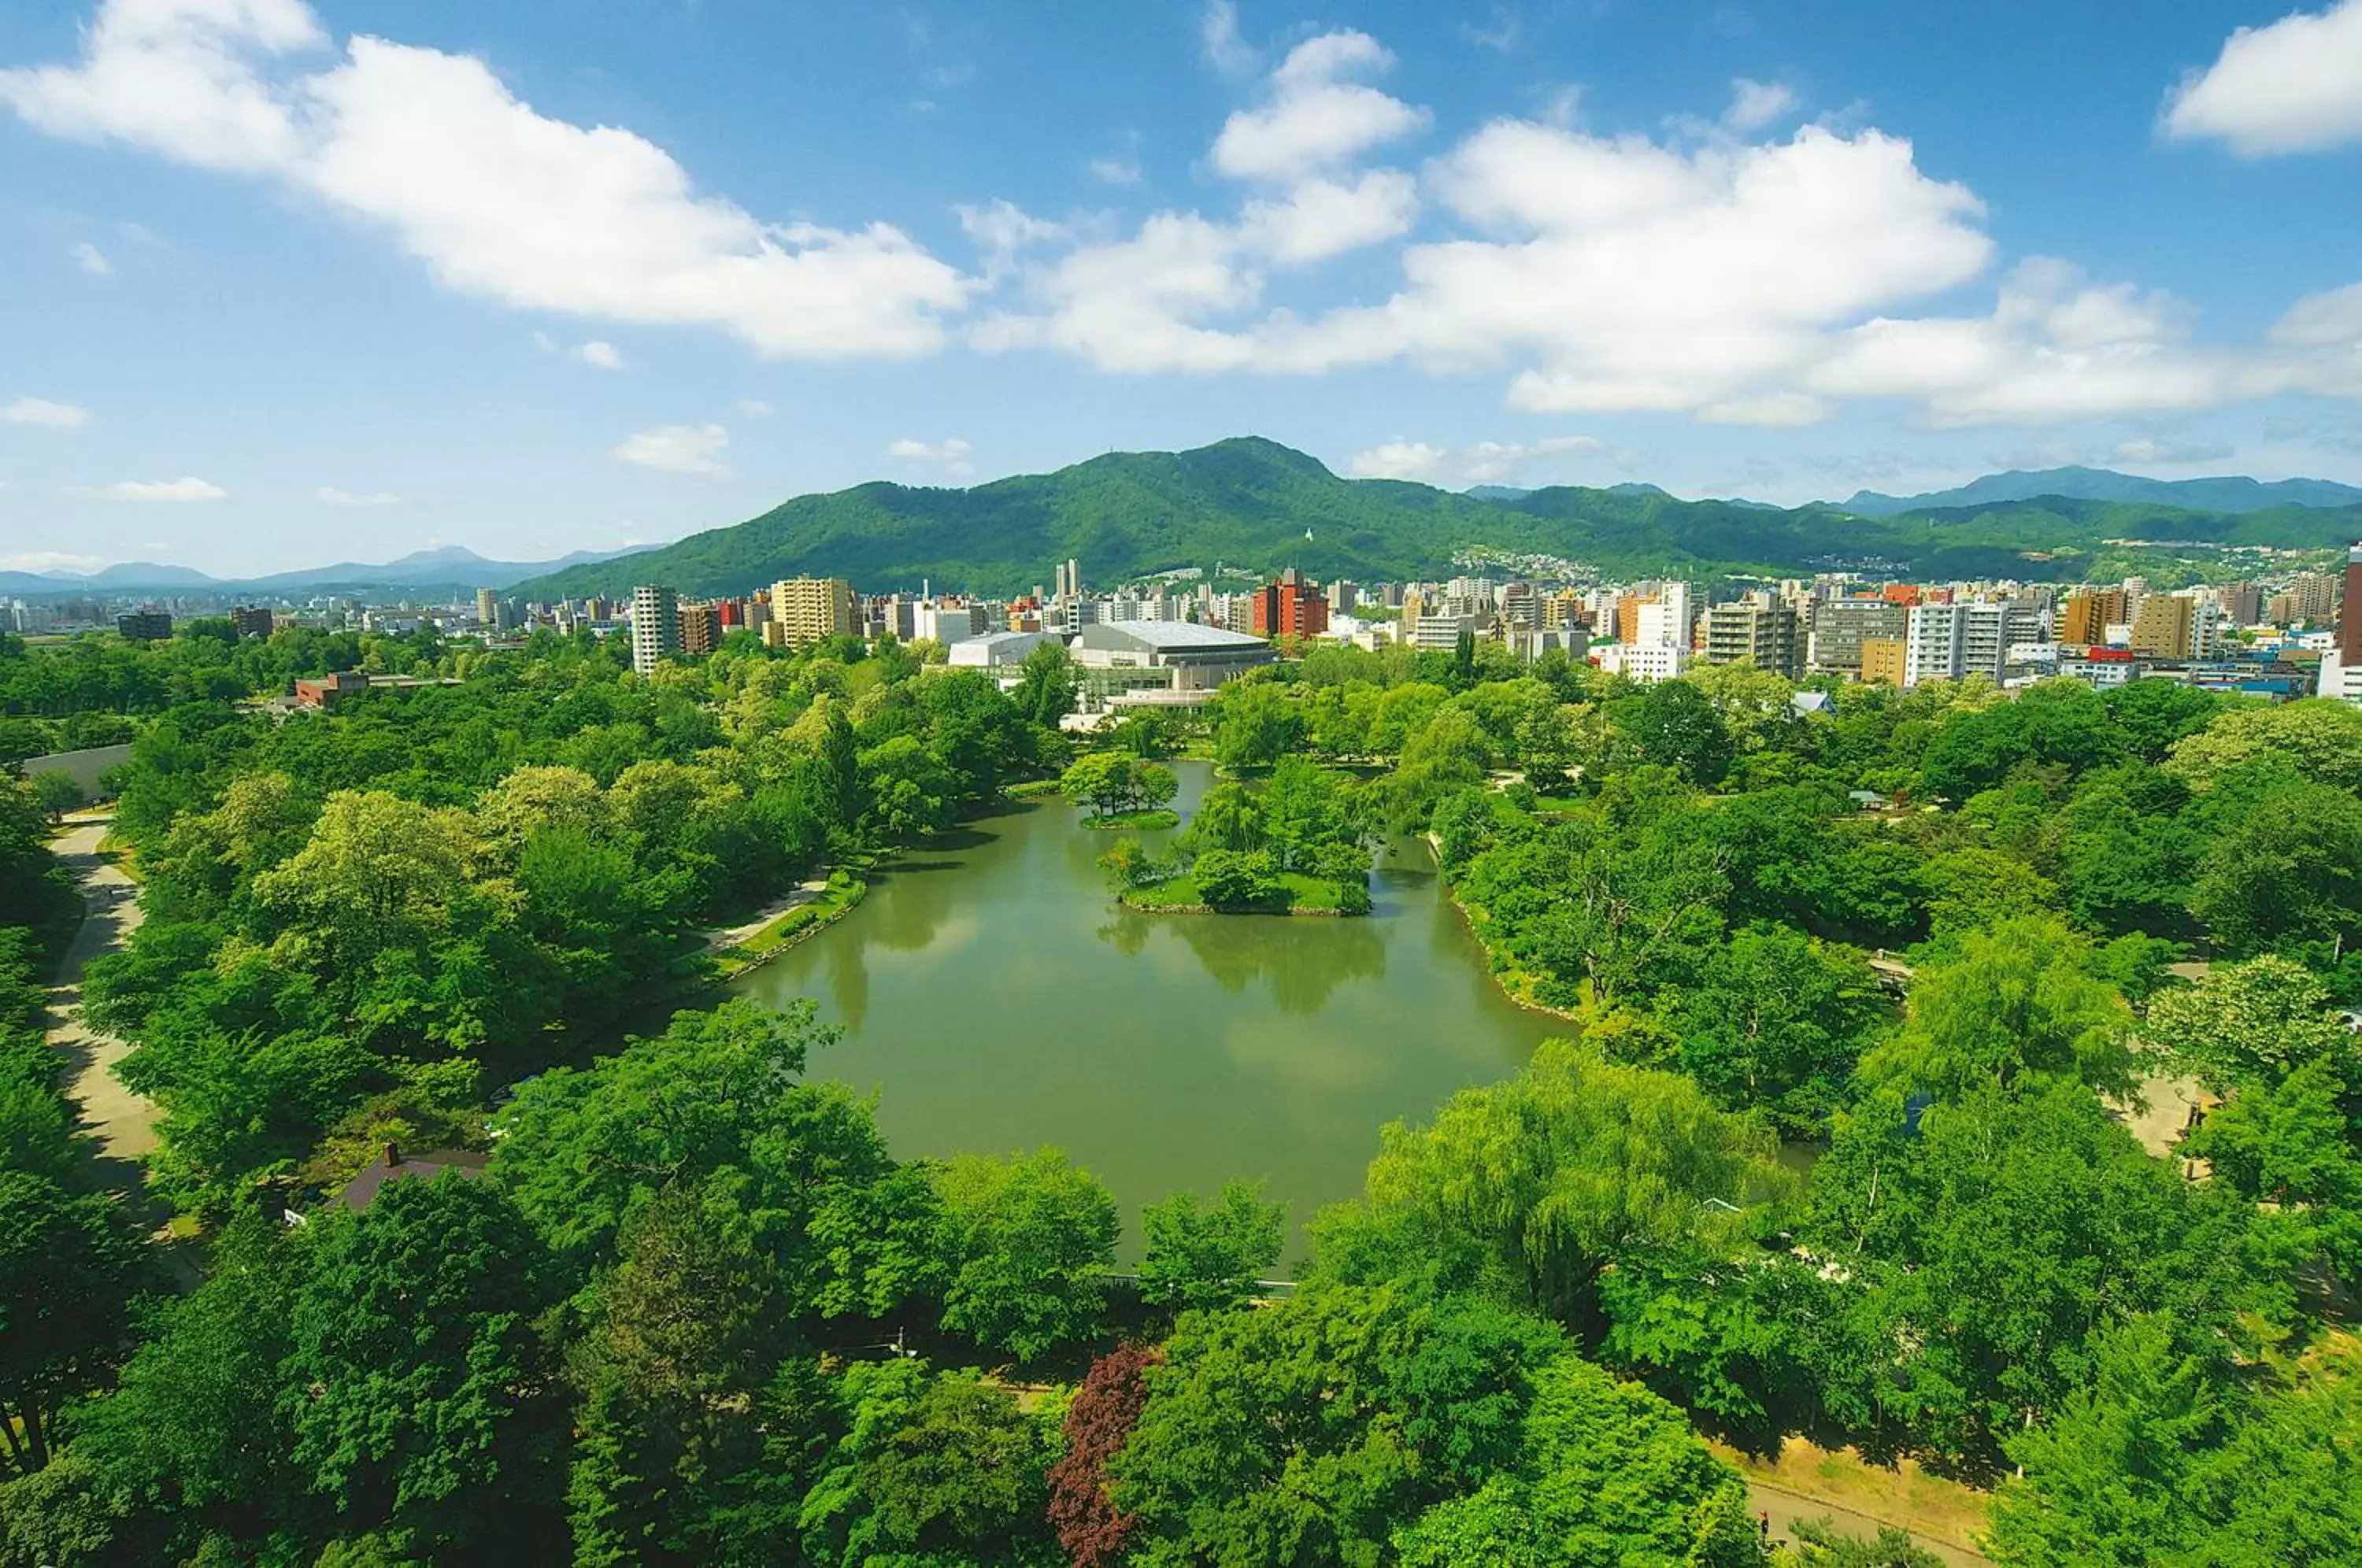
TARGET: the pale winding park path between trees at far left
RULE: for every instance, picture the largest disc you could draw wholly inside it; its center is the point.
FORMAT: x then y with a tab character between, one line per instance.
119	1121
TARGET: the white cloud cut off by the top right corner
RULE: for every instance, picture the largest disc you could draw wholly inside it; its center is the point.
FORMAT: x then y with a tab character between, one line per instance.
2285	89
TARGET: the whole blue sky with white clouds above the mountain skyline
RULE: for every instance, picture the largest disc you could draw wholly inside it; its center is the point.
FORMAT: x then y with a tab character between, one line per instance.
299	282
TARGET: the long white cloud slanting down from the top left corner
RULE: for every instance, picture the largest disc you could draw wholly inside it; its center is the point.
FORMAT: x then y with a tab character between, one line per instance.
492	197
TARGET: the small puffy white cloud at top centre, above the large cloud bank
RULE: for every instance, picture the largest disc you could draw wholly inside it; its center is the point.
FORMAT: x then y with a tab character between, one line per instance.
1317	117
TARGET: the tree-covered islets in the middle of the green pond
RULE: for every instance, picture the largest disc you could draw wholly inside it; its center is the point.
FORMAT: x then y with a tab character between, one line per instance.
1291	847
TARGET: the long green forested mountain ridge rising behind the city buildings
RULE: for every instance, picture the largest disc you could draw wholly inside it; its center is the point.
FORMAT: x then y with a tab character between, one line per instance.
1258	507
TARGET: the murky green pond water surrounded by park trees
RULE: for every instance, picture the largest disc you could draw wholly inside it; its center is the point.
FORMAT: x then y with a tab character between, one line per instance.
996	998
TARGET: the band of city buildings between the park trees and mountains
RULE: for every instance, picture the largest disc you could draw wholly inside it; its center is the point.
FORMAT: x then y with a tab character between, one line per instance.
1177	636
